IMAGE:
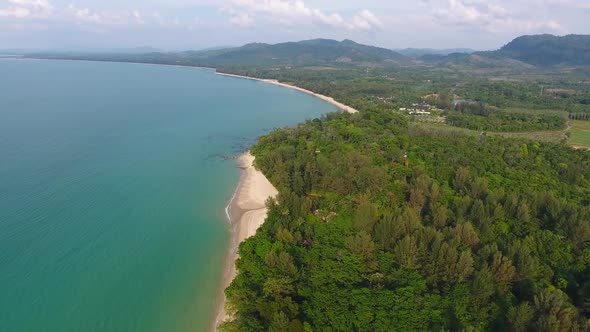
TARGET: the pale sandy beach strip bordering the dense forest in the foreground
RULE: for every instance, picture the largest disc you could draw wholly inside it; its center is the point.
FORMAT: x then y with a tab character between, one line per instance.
246	212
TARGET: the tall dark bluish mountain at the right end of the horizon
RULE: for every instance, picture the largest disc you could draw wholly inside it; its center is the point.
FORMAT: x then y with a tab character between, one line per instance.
546	50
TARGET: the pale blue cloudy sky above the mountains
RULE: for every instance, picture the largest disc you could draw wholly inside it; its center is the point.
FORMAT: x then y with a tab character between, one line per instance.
198	24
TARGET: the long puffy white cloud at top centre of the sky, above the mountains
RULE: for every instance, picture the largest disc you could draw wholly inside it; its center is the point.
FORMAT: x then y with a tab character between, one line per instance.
296	12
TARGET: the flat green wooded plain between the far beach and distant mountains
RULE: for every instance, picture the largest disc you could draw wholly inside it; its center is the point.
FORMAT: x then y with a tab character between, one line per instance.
395	87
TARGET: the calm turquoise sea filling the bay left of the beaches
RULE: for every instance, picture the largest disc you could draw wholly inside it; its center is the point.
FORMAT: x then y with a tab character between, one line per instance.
113	188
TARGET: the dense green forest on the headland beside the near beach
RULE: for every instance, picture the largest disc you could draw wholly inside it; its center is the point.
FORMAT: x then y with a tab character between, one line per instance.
380	227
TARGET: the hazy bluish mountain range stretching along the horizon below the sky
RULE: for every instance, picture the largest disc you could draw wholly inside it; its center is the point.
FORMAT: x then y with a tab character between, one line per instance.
536	50
